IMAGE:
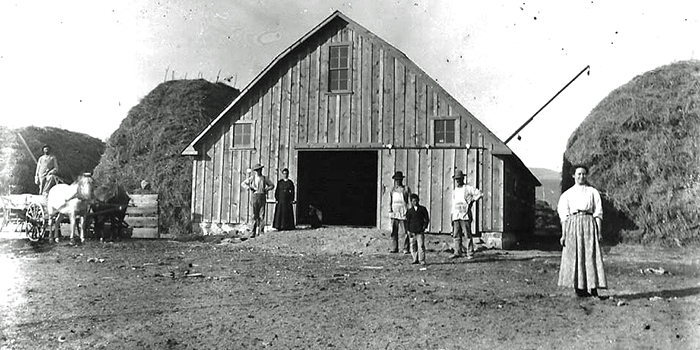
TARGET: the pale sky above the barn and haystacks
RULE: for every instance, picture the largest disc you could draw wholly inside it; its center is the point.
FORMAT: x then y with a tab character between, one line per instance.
81	65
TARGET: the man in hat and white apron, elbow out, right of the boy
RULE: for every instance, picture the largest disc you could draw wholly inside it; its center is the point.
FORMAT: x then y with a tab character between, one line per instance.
463	197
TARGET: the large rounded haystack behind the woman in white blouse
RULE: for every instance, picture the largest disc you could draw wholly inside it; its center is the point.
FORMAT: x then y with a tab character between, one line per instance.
643	145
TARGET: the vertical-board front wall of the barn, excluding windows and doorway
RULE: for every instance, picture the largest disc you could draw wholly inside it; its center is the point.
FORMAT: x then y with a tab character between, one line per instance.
392	103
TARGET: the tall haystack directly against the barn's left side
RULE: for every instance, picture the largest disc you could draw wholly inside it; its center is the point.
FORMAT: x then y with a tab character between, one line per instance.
147	145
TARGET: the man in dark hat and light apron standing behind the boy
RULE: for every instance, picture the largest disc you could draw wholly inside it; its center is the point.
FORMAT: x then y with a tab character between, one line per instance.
398	206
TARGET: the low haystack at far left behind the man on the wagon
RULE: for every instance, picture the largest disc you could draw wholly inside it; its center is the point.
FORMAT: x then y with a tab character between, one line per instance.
76	153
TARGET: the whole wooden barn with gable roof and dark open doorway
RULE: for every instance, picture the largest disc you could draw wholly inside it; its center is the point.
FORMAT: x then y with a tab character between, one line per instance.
343	109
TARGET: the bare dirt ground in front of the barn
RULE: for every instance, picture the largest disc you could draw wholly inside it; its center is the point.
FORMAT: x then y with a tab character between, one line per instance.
336	288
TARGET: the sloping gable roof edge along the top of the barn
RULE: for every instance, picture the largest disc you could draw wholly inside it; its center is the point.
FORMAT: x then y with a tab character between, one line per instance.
499	148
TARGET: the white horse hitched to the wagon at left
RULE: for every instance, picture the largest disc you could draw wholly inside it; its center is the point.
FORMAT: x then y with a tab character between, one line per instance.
72	201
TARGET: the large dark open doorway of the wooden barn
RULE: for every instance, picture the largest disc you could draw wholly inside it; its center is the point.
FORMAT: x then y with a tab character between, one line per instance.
342	184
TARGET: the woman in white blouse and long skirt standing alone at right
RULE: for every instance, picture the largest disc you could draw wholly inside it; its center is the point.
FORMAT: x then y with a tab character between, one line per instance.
581	212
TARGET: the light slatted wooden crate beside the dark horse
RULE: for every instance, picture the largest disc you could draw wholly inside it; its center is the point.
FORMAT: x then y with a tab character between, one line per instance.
142	215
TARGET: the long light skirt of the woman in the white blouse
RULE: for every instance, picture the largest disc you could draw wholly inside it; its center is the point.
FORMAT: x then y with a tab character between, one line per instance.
581	258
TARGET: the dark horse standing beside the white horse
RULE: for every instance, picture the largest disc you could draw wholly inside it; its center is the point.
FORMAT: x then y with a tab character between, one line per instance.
110	204
